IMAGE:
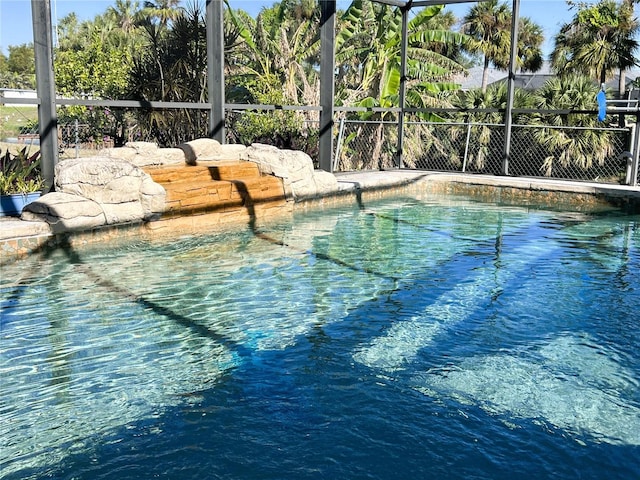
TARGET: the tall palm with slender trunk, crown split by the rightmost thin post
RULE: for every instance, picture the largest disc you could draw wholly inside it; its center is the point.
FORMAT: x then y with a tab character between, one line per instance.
489	26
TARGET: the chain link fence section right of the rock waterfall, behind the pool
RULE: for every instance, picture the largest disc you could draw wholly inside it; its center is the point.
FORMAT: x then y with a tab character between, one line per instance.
572	153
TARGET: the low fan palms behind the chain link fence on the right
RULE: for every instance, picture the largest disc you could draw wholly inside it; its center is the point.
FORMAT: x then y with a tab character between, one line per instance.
551	144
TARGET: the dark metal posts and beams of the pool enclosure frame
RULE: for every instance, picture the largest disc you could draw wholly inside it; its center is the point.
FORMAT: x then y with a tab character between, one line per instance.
42	33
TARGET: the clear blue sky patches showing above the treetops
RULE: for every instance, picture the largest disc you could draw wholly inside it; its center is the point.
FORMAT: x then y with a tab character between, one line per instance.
15	15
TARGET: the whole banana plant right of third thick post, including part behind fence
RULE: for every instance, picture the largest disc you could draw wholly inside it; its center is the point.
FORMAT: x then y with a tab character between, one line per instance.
369	72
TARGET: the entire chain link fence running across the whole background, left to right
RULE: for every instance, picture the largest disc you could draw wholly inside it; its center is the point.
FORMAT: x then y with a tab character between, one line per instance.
540	150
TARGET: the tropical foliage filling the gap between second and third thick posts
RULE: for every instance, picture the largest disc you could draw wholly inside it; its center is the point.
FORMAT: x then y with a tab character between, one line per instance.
275	62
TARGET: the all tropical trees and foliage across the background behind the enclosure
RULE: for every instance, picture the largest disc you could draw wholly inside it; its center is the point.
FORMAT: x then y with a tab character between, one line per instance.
156	50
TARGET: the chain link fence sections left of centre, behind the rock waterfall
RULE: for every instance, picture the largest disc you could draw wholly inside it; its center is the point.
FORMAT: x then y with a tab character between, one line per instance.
95	128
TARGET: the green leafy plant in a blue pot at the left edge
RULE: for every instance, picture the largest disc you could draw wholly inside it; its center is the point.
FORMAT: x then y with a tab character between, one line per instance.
21	180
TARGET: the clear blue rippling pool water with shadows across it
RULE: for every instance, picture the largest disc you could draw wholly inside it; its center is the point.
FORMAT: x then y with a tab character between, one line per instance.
436	338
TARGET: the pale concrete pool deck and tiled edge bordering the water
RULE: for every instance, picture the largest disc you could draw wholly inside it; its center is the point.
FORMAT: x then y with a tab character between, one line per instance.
18	237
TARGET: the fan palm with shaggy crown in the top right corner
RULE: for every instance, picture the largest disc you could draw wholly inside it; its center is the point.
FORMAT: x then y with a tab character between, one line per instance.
600	40
